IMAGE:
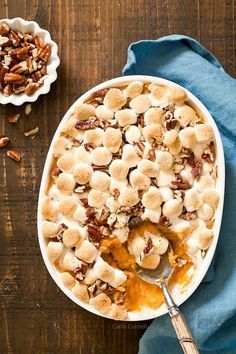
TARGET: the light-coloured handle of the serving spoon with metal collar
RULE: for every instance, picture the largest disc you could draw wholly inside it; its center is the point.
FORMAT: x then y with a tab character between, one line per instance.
179	323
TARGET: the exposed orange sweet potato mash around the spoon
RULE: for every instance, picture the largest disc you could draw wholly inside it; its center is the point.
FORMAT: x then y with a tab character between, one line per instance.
139	293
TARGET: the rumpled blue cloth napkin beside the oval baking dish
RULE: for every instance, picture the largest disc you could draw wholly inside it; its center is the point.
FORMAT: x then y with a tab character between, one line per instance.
211	310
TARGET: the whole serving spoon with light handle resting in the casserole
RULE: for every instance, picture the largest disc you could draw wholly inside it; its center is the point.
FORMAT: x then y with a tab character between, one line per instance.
160	276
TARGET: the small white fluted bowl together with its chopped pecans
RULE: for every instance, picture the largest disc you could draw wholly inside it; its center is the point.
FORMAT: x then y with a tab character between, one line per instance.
28	61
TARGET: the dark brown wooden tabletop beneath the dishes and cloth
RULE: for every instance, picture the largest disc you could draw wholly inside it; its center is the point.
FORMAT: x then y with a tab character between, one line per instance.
93	36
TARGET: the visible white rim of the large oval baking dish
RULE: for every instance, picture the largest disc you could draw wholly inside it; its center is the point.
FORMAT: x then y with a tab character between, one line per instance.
179	296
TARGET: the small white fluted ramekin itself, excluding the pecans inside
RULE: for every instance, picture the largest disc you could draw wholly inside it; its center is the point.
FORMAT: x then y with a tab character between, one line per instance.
32	27
